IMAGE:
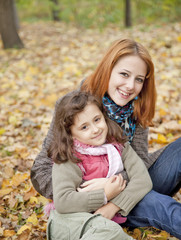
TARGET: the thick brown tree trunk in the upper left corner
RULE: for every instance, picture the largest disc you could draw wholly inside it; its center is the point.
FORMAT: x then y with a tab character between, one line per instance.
8	28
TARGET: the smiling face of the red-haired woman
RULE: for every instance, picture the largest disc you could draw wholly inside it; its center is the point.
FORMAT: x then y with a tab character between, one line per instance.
127	78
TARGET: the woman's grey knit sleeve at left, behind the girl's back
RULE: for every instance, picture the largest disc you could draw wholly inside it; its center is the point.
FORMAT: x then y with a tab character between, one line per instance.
41	171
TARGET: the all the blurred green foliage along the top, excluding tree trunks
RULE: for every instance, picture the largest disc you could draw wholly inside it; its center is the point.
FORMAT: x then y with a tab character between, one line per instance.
100	13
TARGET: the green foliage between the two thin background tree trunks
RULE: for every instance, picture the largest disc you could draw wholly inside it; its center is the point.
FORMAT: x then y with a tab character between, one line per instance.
92	13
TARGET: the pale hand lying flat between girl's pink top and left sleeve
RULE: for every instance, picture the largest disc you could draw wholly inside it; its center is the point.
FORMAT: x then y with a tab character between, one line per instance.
94	184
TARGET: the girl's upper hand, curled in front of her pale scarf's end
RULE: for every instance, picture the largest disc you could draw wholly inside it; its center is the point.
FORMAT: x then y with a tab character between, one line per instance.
114	186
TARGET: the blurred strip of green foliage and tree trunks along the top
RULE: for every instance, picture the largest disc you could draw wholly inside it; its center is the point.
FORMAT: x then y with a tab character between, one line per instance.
84	13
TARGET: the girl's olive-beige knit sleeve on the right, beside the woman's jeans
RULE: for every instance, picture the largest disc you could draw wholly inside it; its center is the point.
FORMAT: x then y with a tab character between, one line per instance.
139	185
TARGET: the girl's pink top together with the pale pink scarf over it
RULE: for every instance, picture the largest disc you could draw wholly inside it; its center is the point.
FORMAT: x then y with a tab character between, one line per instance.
99	161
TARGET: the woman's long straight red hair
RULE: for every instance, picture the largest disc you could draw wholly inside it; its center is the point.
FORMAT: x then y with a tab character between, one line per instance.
98	82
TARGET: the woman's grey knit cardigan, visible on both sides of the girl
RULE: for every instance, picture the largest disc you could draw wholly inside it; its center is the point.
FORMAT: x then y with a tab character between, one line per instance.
41	172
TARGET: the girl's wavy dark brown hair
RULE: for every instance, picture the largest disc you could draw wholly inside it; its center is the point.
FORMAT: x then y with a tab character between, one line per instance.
61	149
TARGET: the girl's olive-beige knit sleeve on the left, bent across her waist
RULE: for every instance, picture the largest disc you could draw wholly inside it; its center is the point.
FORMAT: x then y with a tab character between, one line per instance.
66	178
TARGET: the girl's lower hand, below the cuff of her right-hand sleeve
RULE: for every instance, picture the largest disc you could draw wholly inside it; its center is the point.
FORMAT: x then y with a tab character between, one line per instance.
108	211
